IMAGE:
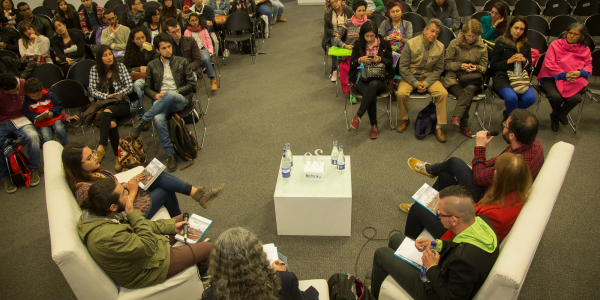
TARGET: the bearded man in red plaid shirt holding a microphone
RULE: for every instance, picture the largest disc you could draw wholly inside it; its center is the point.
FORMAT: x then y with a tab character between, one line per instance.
519	132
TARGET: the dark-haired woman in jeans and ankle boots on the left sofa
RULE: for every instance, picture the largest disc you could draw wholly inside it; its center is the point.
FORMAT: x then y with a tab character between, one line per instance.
82	169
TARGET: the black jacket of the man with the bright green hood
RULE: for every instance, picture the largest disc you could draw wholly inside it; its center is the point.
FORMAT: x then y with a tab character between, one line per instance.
462	270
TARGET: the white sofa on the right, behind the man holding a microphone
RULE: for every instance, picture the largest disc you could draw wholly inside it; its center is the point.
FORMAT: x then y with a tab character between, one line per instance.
518	248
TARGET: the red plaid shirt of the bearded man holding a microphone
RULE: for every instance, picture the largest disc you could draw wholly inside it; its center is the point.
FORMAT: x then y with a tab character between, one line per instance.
483	171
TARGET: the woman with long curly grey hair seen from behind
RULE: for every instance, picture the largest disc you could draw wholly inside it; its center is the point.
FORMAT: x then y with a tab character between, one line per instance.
238	262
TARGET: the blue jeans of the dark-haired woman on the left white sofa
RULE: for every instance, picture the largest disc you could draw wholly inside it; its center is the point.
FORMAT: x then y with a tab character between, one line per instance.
162	193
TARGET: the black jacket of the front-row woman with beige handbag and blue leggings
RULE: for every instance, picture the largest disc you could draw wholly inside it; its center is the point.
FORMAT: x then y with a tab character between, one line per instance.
503	50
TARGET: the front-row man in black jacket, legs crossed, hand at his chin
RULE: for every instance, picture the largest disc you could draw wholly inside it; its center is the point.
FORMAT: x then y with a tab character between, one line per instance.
169	79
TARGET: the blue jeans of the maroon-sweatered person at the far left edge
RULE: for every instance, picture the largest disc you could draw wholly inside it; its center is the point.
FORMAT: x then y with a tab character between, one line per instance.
27	133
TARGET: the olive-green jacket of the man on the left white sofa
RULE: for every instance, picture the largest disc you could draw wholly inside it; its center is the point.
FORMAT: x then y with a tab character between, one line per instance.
133	251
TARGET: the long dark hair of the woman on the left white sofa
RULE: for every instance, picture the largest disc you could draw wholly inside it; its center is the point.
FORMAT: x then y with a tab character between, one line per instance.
71	157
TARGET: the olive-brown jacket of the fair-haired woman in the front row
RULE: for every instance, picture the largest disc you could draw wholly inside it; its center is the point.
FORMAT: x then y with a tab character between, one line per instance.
459	52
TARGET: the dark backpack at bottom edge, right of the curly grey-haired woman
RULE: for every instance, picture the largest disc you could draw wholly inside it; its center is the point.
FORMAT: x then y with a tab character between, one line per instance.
343	286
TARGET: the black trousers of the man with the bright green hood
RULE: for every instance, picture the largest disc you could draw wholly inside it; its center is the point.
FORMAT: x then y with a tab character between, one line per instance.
406	275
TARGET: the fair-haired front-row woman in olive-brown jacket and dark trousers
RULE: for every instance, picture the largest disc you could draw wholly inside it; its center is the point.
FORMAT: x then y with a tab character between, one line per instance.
465	54
